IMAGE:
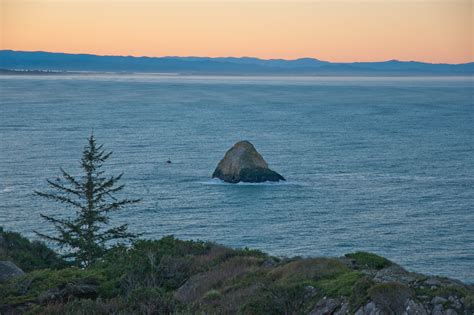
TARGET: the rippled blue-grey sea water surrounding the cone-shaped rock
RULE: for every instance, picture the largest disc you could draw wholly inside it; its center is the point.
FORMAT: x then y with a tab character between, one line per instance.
376	164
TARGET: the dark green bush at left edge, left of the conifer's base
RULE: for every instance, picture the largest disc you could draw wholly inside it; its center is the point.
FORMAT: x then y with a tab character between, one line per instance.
27	255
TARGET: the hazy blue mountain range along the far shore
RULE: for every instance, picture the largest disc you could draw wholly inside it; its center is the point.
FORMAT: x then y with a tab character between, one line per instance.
46	61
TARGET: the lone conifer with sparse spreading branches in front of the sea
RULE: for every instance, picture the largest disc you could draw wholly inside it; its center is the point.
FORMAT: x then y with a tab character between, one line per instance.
85	237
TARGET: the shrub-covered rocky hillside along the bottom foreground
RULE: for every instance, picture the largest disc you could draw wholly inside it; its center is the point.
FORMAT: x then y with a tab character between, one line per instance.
171	276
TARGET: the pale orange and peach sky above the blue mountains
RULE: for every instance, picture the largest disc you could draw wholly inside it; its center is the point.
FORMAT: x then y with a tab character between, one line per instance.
438	31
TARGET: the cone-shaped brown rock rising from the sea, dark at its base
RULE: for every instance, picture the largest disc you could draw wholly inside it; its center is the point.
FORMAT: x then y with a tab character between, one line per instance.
242	163
